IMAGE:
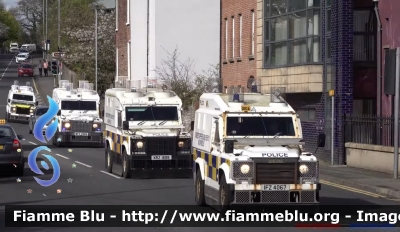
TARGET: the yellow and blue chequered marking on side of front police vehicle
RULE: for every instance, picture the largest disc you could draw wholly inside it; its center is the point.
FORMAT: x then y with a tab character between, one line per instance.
212	163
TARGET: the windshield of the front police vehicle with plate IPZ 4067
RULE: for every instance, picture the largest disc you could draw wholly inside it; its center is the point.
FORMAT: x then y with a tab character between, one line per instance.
260	126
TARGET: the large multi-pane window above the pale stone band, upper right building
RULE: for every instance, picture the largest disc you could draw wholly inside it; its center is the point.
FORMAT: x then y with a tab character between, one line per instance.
291	32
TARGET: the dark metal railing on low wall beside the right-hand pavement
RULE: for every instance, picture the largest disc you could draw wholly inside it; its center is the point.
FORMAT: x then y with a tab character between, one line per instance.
369	129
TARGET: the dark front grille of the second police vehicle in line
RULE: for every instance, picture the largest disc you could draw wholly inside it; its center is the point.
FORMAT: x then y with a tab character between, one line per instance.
161	146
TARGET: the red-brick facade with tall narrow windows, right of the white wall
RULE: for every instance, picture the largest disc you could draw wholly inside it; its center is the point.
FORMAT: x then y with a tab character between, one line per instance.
238	41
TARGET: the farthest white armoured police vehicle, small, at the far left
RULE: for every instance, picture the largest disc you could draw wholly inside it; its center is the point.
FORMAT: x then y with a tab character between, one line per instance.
21	102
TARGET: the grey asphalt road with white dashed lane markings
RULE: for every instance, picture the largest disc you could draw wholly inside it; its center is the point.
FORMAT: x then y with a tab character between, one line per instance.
91	184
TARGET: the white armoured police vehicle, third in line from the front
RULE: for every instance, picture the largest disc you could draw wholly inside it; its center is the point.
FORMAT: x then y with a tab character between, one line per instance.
79	122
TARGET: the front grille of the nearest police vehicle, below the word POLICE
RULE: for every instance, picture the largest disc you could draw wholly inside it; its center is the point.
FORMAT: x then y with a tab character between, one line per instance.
276	173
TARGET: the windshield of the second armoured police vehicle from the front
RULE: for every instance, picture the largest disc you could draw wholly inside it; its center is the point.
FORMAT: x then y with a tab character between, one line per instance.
152	113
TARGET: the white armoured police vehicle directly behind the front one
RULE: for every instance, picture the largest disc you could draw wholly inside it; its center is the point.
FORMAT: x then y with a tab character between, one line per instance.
144	134
